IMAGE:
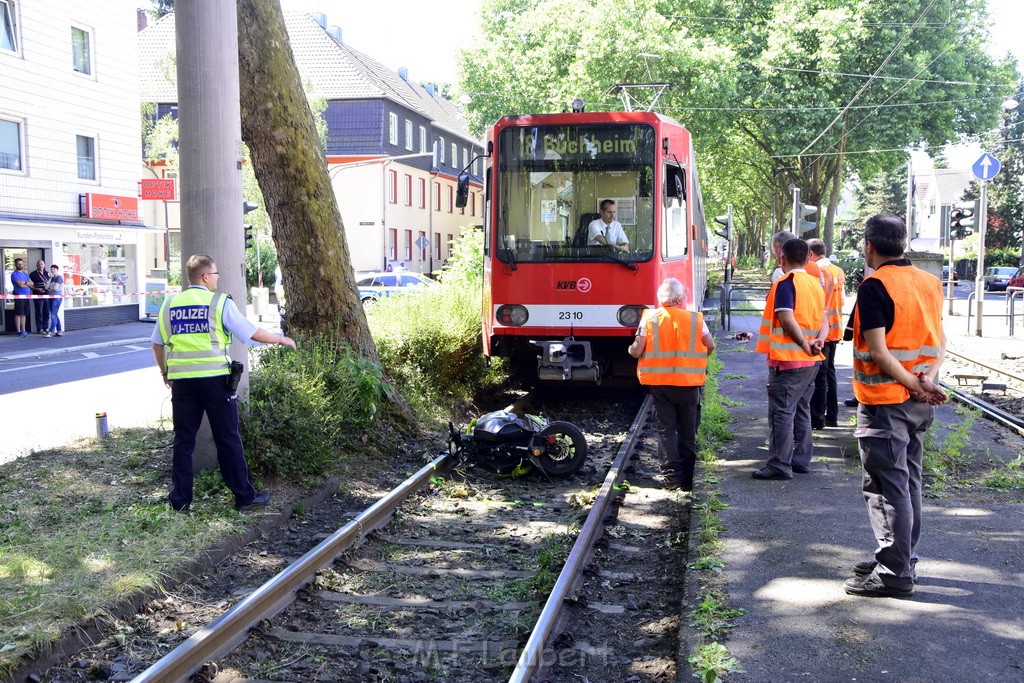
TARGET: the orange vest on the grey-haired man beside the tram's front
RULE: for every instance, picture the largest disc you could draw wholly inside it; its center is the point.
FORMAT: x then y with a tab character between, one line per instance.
674	354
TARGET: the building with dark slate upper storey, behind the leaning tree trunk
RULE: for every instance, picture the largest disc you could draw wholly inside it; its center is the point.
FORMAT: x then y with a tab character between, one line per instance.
395	148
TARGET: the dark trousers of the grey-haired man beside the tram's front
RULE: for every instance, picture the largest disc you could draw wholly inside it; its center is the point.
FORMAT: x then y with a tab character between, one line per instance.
678	411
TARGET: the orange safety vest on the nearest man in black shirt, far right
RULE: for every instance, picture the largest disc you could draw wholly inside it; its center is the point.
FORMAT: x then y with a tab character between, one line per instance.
915	340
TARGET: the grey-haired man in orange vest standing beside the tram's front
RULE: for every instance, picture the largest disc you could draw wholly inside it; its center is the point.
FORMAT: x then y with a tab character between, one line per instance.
672	346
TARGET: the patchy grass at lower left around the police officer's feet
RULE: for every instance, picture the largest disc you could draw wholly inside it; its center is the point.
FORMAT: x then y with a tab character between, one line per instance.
79	530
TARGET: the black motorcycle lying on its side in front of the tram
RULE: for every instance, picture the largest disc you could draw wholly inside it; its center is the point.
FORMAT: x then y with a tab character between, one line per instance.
507	444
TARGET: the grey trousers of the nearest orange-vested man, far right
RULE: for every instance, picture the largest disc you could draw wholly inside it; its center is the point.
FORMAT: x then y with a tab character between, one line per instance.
892	446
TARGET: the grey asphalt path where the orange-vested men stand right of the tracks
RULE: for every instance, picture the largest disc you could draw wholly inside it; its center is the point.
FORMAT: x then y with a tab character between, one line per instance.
790	546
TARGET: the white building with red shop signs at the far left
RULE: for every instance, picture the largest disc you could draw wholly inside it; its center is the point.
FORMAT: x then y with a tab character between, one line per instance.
70	151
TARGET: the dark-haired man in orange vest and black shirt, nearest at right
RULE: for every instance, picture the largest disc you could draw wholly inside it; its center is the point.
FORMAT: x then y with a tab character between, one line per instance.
899	349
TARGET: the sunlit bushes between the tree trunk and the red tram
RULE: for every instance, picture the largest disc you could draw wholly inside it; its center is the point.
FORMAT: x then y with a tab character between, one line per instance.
430	340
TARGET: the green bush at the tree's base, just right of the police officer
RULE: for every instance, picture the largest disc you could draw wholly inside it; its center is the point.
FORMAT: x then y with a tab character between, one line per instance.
308	407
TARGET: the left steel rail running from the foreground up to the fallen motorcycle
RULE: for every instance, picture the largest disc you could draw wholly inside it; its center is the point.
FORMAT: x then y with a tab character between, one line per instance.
232	628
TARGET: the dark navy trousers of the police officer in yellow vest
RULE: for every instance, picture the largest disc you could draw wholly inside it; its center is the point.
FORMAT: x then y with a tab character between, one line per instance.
190	400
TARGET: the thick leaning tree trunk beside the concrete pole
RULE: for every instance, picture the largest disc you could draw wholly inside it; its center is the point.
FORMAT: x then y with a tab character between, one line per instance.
290	166
